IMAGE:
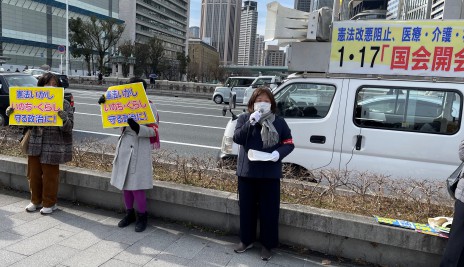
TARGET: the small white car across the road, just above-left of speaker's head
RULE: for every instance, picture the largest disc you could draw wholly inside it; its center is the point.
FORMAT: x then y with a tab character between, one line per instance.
236	85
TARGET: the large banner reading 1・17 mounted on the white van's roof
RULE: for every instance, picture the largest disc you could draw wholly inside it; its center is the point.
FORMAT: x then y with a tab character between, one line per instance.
418	48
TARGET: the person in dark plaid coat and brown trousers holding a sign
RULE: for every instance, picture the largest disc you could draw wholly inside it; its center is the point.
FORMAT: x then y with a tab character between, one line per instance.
48	147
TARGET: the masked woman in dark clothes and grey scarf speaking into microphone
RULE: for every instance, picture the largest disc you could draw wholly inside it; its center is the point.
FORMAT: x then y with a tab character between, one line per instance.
264	139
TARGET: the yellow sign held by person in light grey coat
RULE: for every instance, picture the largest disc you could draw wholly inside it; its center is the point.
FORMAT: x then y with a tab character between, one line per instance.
126	101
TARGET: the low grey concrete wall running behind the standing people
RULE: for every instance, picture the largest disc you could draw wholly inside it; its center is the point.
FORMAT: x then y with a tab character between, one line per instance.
330	232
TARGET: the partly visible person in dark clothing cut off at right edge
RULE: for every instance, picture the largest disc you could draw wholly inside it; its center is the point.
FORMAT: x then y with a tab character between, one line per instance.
454	251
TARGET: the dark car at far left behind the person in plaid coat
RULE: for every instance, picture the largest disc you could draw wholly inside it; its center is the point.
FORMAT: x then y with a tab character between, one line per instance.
8	80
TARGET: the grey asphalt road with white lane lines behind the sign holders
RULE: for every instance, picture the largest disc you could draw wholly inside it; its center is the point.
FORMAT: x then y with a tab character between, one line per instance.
189	127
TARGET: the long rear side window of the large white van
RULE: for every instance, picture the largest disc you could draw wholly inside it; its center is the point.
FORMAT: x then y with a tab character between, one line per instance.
414	110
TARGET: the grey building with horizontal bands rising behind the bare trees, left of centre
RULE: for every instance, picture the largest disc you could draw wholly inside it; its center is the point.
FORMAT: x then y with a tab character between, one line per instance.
166	20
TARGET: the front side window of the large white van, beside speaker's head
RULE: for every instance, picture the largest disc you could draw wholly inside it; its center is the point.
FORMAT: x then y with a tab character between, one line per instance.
305	100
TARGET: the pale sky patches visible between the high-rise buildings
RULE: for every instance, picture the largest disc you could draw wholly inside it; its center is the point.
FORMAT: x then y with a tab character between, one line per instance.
195	12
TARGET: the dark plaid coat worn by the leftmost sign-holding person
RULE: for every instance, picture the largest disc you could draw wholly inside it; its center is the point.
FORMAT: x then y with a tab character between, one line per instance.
53	144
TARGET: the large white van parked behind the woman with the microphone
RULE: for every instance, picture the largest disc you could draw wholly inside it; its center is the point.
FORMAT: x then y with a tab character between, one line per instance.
397	127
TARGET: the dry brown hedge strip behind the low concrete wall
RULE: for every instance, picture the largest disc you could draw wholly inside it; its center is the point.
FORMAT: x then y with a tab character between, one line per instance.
353	192
